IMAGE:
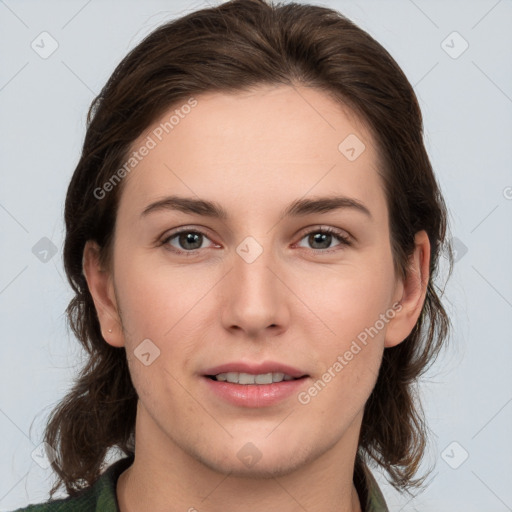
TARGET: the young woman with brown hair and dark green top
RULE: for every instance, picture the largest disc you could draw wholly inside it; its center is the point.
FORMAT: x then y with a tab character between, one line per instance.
252	234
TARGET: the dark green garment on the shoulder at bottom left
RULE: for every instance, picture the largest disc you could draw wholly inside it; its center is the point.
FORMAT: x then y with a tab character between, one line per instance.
100	497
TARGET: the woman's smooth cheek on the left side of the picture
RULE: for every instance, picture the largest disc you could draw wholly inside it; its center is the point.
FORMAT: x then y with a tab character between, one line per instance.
165	305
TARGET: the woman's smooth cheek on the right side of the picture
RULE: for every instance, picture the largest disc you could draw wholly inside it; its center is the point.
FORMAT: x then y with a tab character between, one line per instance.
349	339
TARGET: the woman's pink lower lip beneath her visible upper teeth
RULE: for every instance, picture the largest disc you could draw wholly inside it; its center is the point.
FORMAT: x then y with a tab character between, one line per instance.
255	395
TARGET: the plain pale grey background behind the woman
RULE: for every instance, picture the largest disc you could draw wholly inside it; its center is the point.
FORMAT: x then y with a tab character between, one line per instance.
467	107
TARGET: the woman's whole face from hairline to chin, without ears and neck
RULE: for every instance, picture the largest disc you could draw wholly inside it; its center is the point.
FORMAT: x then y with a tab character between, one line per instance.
274	286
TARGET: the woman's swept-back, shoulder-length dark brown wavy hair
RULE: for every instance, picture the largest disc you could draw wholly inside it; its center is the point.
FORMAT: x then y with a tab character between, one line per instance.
233	47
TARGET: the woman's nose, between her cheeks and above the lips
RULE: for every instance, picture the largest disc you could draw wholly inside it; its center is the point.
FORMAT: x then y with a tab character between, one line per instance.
255	297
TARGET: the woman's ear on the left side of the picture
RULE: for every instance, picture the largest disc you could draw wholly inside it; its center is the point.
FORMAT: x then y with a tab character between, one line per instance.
101	287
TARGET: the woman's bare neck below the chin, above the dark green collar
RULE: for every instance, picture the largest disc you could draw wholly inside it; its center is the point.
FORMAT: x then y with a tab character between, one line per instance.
172	480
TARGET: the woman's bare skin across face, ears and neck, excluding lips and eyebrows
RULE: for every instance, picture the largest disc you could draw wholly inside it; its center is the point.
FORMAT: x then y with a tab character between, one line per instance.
253	153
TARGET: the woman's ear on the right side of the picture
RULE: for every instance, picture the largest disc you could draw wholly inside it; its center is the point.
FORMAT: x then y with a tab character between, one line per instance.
414	291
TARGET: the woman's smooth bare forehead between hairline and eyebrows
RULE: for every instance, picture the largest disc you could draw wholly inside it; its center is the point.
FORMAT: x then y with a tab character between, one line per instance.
255	149
